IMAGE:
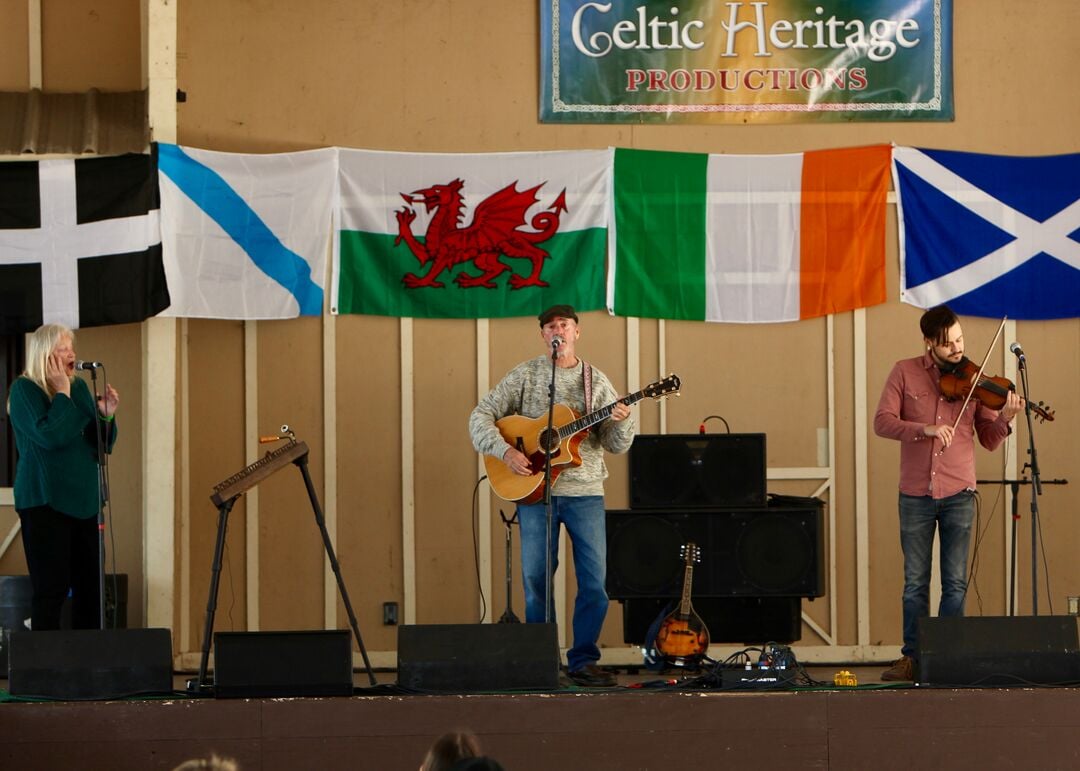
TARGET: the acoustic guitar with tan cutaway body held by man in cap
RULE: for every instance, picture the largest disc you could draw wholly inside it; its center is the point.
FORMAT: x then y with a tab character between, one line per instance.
531	437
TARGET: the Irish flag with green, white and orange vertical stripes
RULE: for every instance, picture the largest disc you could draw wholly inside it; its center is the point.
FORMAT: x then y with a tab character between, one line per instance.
748	239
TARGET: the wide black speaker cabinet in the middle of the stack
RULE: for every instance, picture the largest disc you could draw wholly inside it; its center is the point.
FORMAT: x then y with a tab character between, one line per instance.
777	551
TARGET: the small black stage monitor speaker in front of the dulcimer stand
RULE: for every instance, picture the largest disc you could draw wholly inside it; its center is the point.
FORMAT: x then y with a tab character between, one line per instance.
309	664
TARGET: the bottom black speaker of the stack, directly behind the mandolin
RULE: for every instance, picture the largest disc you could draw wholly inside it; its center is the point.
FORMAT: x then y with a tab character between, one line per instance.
744	620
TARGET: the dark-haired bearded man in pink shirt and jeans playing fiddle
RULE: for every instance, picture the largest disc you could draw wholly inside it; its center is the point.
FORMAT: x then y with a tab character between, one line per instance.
937	471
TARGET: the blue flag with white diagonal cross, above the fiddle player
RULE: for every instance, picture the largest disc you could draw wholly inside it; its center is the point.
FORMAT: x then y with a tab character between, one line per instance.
991	236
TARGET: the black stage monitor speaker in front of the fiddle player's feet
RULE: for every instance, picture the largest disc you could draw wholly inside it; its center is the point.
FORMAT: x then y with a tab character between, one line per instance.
1010	651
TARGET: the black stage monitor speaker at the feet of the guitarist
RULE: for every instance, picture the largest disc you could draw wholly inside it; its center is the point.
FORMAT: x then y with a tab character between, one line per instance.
478	657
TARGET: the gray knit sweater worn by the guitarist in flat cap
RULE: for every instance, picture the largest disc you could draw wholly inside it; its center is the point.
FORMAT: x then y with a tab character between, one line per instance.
524	391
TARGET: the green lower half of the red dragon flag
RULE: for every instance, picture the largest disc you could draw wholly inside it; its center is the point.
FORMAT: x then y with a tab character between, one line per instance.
372	269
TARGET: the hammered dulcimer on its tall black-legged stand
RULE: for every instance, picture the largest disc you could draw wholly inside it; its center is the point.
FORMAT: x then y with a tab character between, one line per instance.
225	496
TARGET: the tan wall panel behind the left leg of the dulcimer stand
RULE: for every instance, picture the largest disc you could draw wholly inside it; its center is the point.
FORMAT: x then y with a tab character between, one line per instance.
215	351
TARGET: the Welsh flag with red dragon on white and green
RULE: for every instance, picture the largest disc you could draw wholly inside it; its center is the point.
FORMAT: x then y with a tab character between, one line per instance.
470	236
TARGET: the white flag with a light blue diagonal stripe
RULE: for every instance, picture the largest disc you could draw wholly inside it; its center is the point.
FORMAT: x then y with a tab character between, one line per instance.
247	237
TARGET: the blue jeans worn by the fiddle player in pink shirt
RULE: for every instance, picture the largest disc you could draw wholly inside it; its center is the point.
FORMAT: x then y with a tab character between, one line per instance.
919	518
